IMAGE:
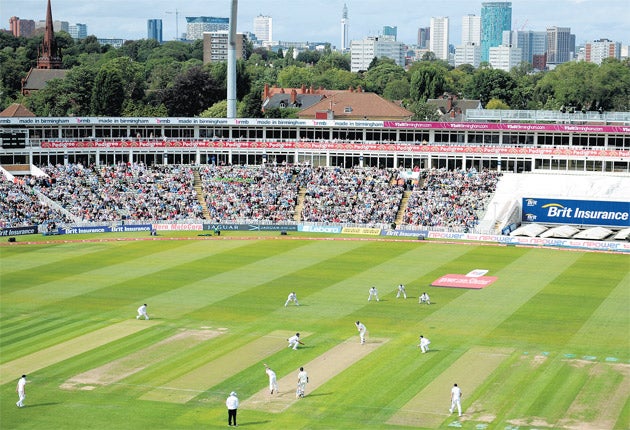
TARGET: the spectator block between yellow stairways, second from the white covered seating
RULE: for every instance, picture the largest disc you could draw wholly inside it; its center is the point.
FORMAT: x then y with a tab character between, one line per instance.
356	196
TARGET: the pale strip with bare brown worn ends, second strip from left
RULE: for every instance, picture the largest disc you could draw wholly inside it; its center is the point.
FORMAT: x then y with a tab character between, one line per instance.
126	366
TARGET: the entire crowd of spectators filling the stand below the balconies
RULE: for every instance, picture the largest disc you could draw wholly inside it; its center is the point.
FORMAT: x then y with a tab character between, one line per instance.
232	193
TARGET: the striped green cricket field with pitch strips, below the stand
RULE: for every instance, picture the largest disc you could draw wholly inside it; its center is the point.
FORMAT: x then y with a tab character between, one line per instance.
547	346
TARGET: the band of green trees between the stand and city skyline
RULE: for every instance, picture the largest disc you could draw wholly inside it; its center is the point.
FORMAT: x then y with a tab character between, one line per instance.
145	78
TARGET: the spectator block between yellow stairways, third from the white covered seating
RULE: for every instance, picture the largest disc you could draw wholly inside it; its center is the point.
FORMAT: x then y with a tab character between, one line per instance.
267	192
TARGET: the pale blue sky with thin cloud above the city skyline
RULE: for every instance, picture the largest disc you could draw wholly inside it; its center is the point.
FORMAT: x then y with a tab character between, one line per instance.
319	20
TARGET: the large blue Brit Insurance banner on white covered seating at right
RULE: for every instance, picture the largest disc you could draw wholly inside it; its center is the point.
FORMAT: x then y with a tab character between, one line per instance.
581	212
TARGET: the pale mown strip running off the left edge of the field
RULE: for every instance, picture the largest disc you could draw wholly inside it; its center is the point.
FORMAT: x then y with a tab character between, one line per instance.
46	357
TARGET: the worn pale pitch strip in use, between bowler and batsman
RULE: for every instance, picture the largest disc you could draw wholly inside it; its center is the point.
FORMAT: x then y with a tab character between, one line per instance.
320	370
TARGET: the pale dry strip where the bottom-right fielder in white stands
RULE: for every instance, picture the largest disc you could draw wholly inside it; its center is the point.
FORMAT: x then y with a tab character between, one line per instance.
429	408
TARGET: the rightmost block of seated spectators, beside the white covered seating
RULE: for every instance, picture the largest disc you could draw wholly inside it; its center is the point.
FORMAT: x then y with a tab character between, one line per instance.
450	198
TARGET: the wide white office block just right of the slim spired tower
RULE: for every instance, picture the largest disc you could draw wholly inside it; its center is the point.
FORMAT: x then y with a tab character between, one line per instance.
362	52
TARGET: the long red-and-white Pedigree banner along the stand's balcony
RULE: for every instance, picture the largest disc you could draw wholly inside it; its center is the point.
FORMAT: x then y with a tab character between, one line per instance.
336	146
